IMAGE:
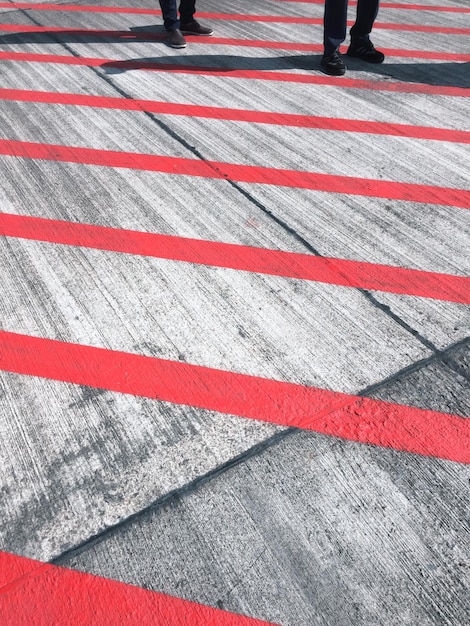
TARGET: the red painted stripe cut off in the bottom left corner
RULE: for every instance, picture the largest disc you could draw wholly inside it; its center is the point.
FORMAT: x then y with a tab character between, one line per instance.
40	594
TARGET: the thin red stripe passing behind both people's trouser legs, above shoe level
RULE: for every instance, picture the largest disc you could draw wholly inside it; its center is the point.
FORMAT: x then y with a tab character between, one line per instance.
282	19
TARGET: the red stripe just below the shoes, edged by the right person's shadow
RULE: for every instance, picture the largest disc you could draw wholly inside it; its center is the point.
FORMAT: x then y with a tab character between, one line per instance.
287	77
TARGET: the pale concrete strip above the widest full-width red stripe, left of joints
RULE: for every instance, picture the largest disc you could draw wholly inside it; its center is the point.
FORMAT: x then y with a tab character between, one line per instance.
203	316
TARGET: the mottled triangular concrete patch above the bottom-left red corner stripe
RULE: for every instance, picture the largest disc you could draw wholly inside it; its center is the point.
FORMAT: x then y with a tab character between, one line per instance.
77	460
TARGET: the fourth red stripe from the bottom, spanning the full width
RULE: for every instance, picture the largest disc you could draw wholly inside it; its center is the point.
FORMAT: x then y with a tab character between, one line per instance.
241	173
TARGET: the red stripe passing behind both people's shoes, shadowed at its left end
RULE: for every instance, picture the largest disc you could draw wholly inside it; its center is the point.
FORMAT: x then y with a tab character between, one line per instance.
226	41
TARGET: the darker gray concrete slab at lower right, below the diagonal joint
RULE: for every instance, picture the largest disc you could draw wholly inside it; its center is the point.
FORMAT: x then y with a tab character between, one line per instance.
313	531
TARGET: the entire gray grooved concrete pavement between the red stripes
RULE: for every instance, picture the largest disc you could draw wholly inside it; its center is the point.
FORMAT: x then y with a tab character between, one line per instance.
287	526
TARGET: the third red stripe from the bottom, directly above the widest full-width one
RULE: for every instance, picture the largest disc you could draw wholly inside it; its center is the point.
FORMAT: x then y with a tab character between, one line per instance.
245	258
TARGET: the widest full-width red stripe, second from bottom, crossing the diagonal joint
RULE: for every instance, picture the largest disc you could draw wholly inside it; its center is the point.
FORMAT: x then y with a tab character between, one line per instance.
364	420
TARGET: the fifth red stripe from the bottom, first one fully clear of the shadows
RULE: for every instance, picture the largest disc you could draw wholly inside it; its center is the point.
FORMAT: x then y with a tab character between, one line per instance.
240	115
